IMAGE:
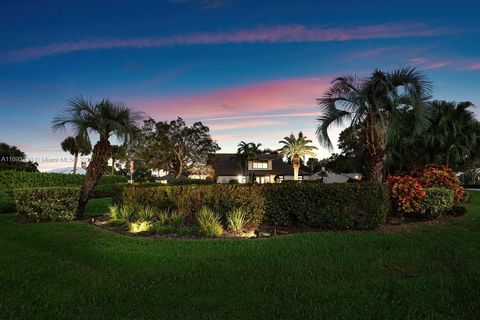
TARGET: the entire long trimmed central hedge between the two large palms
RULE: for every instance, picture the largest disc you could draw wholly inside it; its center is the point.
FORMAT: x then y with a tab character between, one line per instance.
340	206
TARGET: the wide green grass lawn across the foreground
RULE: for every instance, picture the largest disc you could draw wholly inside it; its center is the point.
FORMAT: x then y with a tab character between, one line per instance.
77	271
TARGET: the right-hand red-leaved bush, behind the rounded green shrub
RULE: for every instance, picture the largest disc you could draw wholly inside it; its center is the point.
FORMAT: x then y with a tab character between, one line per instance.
441	176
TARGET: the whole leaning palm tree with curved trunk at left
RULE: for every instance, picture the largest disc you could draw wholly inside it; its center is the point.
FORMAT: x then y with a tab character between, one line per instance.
106	118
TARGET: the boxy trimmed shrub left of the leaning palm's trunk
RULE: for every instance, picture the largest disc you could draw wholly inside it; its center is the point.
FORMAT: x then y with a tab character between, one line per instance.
45	204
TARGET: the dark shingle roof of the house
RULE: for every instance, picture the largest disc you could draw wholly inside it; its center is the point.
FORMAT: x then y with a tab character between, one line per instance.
225	164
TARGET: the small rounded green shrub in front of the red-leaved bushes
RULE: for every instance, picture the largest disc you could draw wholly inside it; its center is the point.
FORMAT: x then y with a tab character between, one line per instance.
437	201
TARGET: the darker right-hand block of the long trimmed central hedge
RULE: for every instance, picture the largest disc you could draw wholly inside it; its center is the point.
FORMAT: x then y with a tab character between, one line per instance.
339	206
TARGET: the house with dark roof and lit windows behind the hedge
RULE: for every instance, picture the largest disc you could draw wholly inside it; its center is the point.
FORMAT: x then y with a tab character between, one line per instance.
264	168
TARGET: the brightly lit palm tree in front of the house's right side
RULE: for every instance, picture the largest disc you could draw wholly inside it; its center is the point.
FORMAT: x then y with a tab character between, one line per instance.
296	149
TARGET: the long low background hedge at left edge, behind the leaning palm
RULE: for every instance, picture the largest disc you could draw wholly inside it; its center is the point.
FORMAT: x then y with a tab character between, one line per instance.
11	180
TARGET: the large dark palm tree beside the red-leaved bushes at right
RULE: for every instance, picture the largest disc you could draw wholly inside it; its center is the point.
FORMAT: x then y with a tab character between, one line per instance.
373	104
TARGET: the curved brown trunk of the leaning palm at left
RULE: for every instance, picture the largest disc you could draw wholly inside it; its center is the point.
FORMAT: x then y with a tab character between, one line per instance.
95	170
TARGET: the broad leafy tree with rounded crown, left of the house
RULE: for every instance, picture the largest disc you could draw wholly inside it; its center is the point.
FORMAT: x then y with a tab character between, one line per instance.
174	146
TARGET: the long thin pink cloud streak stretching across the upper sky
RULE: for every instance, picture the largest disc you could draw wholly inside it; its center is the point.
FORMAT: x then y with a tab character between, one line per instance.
273	34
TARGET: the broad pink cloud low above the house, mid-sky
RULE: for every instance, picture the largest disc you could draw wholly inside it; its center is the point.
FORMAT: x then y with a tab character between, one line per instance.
266	97
